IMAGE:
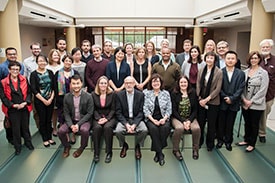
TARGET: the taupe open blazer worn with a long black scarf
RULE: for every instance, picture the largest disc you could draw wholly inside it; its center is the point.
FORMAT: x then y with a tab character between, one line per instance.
215	86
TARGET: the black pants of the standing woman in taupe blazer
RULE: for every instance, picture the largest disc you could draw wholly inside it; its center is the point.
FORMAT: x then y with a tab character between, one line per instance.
210	116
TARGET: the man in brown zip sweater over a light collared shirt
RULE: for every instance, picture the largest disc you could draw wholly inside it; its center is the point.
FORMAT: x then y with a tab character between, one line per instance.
169	70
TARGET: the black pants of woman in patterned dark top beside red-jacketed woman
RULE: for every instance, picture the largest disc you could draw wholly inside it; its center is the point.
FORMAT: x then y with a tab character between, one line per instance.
45	115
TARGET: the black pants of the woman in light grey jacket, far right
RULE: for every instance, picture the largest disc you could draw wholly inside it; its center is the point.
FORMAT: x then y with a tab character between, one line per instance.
251	125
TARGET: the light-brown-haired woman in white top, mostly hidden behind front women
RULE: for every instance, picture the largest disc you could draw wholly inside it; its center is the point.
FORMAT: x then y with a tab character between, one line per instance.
54	65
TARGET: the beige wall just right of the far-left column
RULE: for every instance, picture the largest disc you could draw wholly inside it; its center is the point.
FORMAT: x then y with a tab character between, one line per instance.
30	34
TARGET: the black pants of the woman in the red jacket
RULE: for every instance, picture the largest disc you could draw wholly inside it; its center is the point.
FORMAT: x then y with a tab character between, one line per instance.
20	126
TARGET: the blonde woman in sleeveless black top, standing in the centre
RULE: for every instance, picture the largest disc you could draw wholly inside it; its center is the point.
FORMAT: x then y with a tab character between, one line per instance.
142	69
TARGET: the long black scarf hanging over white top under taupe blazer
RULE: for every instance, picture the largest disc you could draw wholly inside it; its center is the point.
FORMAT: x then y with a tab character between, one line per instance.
208	86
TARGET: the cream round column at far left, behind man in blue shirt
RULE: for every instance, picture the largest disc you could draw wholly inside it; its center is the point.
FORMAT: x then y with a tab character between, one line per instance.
10	32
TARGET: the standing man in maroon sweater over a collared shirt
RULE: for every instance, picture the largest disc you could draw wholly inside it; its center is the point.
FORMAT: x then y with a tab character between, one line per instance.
95	68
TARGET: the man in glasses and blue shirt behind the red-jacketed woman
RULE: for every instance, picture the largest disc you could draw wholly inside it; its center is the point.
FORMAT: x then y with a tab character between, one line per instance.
11	55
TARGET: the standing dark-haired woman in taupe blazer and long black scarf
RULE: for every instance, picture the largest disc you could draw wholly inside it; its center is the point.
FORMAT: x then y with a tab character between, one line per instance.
209	84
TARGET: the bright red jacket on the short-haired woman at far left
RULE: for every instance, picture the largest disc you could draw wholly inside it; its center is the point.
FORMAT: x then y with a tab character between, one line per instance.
6	89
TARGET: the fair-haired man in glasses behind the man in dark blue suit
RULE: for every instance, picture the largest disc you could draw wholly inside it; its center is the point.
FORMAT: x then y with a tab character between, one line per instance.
222	48
